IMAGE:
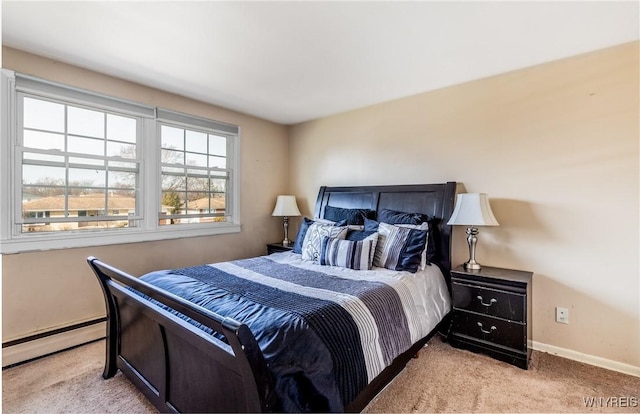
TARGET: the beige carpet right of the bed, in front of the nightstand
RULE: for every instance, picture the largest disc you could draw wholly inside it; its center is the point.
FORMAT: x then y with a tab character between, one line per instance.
445	379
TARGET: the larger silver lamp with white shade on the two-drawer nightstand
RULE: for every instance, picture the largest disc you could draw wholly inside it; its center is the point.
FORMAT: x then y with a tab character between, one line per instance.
472	209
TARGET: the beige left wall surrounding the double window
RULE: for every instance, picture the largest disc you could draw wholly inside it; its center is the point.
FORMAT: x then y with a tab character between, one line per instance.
47	290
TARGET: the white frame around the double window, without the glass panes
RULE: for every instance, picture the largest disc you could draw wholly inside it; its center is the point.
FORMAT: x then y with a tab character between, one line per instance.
149	187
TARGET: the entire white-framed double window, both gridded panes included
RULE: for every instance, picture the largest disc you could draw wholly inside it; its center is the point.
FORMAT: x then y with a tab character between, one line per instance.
102	170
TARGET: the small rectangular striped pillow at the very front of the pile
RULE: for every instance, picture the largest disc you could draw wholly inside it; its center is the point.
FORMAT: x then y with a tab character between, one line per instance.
356	255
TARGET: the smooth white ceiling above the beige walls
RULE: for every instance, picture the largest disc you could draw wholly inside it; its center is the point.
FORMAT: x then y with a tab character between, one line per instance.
294	61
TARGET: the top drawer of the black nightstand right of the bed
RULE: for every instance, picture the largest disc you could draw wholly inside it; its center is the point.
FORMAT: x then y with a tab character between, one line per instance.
507	305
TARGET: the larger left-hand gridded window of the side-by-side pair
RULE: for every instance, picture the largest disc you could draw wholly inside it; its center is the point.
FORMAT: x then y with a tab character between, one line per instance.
79	165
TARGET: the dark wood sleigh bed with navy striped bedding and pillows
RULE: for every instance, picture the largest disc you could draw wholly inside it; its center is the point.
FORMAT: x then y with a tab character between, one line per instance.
322	329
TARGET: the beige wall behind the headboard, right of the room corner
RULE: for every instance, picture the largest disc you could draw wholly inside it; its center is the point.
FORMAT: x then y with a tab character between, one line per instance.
556	148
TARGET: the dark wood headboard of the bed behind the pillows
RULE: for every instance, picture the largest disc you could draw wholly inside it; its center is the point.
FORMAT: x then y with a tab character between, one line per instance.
434	200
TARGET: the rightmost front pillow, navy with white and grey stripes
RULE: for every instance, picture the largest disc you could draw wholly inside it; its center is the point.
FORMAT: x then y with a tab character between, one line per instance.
399	248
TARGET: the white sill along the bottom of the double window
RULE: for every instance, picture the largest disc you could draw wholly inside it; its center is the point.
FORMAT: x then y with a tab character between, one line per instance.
32	243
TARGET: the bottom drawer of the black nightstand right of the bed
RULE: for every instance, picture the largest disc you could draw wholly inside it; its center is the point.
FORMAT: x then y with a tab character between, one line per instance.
498	331
